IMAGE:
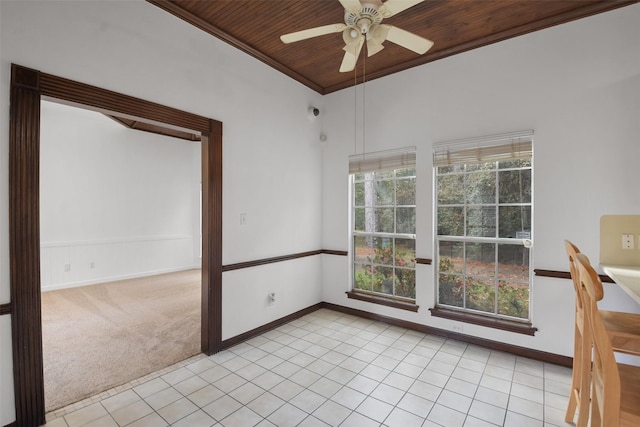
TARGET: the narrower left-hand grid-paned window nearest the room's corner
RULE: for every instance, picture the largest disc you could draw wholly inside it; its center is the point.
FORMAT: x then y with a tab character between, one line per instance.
383	218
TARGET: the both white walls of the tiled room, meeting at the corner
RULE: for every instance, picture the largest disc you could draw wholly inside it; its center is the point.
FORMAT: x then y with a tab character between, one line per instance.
577	86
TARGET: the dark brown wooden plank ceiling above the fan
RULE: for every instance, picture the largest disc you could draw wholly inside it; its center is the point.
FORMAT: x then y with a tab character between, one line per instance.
455	26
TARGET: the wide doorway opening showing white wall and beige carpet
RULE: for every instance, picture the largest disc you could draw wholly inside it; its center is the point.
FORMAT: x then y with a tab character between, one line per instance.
120	251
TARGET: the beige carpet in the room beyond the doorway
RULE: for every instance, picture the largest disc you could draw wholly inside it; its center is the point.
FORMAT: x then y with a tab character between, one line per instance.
101	336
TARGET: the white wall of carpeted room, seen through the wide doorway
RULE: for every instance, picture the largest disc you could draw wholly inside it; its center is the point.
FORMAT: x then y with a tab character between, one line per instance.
114	202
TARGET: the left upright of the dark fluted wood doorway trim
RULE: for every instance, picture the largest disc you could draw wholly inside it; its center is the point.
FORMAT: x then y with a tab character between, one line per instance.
24	246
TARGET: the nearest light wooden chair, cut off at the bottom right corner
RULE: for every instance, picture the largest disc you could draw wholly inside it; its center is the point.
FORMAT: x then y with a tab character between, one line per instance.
615	389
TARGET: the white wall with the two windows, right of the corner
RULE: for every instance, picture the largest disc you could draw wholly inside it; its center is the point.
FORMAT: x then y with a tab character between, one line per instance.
576	85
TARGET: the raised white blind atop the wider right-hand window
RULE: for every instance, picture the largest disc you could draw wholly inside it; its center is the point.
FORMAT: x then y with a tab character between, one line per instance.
512	146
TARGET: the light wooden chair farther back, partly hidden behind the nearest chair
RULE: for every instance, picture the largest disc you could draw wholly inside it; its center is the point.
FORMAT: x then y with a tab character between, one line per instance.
623	330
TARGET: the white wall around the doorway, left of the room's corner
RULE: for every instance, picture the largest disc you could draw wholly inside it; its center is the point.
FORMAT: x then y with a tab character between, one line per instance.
135	48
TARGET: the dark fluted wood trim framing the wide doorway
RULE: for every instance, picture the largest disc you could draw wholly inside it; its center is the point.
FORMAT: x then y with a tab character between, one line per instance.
28	87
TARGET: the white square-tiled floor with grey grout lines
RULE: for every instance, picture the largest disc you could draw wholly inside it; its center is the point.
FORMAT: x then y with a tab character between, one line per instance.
328	368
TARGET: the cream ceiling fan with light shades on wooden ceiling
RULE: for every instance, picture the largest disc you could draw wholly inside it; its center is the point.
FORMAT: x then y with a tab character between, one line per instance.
363	22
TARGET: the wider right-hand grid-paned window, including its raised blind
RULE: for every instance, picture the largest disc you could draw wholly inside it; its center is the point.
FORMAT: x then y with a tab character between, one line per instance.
483	225
